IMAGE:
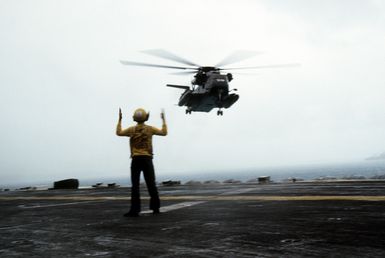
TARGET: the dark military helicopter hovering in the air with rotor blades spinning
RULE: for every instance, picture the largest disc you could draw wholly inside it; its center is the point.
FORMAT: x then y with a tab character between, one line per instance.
209	87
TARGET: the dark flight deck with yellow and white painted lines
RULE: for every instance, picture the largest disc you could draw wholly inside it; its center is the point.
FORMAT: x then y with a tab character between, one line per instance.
302	219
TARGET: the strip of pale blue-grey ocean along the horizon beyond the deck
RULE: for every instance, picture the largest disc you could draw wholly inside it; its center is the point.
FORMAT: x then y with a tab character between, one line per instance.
362	170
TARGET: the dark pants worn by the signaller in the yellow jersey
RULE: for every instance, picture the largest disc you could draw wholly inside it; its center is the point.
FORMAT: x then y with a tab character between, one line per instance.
138	164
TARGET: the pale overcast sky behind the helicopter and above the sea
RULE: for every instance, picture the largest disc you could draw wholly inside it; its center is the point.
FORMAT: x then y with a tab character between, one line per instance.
61	84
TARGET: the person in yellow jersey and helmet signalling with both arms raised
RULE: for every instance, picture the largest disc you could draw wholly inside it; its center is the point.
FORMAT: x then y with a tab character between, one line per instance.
141	155
